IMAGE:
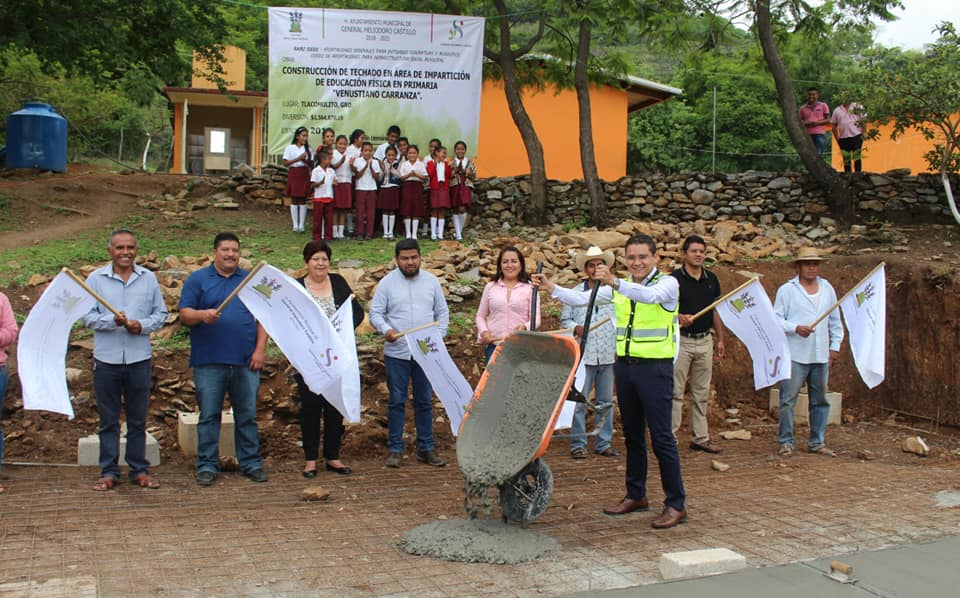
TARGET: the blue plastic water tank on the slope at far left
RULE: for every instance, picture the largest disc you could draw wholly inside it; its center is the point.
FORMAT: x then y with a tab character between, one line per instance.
37	138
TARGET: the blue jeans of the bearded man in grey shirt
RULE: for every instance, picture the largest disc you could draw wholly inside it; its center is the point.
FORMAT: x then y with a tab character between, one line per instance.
400	372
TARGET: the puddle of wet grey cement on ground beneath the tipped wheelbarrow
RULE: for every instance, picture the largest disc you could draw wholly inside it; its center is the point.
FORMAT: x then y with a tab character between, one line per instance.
477	541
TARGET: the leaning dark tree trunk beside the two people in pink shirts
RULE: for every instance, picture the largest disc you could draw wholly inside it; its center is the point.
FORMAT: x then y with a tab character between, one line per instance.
838	193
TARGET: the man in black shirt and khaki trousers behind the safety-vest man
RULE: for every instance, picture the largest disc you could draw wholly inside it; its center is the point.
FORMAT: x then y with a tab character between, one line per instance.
698	288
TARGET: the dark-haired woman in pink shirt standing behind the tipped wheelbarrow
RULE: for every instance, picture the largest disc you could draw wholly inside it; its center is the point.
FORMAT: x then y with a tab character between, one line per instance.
505	305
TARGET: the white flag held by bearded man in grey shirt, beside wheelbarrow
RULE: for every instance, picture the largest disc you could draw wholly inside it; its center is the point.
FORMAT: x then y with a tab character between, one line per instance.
427	349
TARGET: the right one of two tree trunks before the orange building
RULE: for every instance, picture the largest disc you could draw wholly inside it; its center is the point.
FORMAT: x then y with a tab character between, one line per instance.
588	158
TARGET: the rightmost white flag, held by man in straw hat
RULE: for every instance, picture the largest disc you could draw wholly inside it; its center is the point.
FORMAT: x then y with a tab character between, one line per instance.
865	312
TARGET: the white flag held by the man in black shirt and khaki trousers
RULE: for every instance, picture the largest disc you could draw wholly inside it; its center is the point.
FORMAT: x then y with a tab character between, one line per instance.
749	314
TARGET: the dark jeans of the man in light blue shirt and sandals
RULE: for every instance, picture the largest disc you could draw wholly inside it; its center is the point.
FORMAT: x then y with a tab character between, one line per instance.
119	386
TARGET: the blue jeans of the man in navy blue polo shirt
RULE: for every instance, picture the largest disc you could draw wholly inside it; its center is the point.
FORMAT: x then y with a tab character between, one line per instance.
241	383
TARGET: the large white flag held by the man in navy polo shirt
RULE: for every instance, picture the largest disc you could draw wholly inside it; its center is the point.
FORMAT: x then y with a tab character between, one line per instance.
297	324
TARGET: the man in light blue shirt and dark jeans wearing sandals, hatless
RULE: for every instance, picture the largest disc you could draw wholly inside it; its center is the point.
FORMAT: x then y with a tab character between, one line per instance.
122	357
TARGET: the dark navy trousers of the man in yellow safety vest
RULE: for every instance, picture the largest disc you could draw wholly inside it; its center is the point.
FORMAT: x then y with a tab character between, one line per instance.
645	398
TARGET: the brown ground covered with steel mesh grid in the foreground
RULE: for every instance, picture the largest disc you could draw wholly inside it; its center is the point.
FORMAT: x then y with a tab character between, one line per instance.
59	538
